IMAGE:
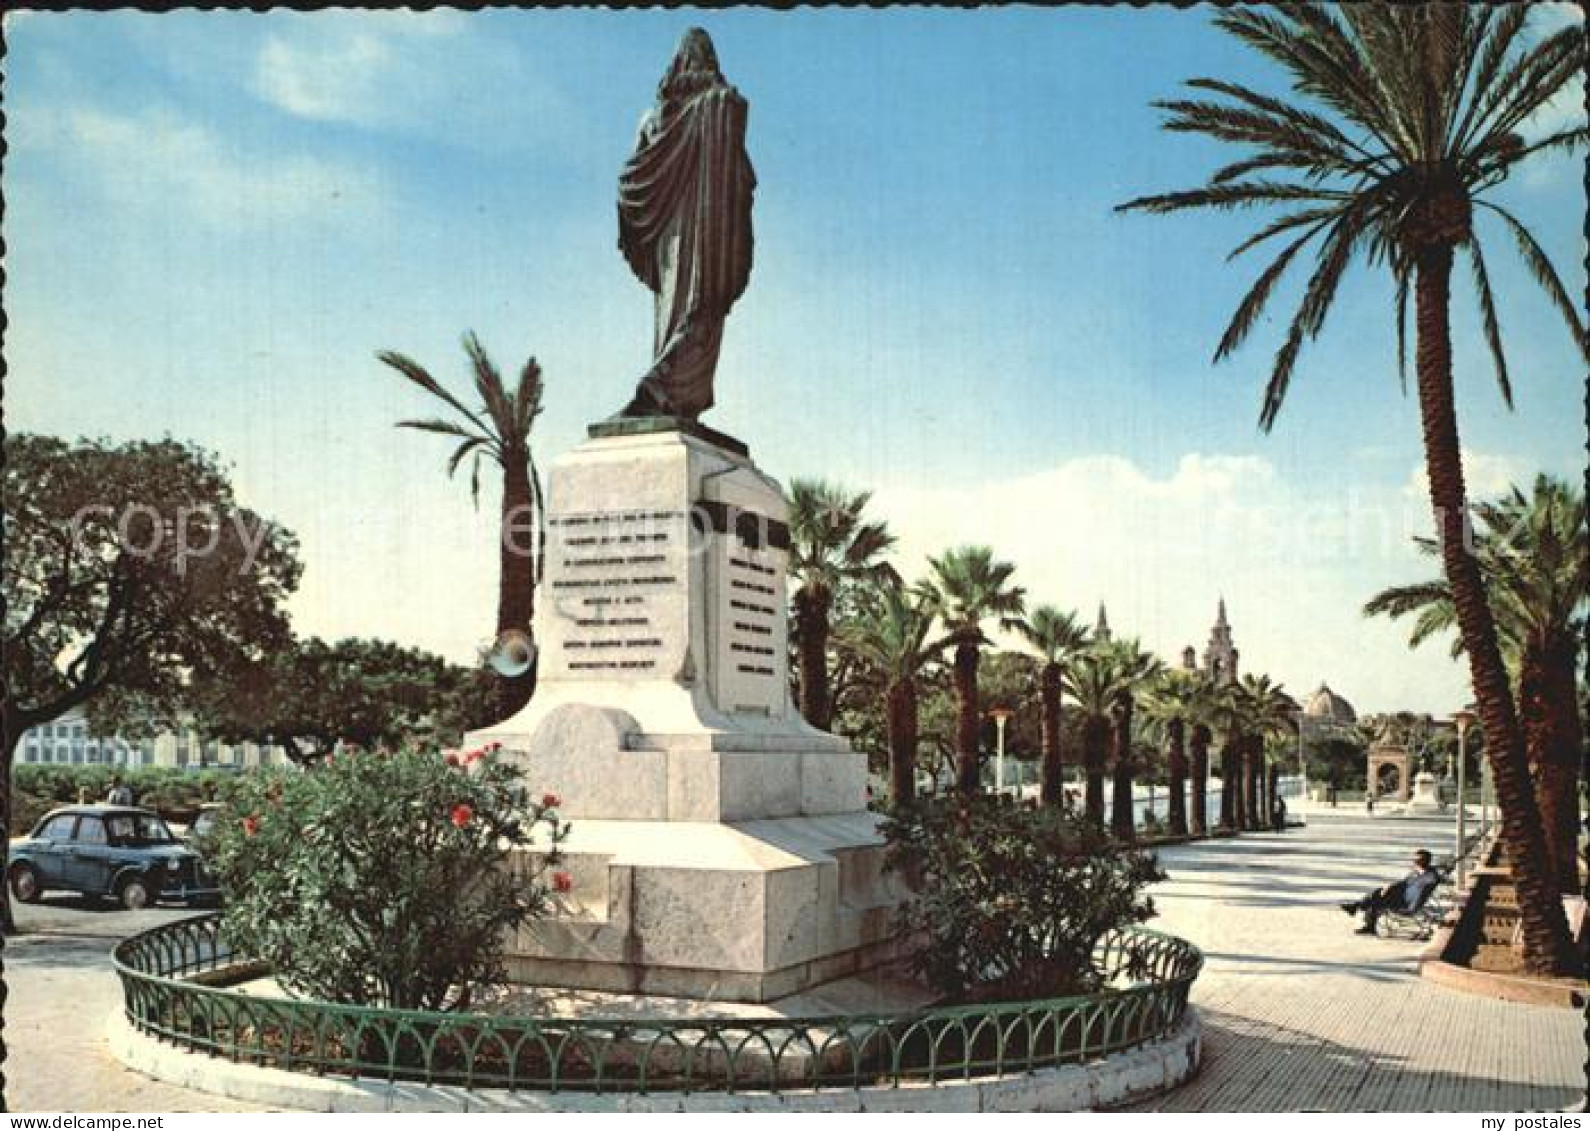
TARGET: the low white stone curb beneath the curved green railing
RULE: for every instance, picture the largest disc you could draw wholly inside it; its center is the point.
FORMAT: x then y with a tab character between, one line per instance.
1109	1082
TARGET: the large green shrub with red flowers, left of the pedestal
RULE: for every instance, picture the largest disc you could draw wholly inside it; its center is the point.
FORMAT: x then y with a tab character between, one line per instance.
384	879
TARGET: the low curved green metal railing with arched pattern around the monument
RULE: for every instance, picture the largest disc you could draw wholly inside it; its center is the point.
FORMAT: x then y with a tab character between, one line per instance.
165	976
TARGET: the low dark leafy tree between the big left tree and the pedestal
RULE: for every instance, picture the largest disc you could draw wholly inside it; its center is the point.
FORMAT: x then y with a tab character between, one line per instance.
311	698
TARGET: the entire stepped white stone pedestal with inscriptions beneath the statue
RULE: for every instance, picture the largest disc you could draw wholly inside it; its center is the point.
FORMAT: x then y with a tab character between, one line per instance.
721	845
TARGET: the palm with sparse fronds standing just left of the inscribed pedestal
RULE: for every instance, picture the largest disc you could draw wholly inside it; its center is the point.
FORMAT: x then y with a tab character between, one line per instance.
498	432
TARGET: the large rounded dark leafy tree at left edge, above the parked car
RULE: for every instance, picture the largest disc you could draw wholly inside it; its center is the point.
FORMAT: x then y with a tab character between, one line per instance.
130	570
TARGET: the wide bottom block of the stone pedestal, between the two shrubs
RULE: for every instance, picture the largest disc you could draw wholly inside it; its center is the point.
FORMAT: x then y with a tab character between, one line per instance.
747	912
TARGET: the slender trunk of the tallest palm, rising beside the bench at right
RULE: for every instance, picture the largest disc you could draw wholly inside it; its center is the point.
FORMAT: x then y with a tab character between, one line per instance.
1546	942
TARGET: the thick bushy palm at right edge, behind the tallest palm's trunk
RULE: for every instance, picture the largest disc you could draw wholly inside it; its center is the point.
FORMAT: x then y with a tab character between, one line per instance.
1535	558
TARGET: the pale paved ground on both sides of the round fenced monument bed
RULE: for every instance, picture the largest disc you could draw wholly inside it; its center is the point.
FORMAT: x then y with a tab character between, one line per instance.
1300	1014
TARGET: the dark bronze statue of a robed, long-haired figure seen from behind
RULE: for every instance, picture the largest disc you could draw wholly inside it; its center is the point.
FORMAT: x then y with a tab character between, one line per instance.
684	227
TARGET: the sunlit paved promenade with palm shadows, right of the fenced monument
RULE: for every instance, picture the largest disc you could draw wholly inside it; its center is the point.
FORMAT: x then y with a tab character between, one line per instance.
1300	1014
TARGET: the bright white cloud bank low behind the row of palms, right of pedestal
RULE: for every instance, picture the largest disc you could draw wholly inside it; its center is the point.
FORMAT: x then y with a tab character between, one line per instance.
1295	561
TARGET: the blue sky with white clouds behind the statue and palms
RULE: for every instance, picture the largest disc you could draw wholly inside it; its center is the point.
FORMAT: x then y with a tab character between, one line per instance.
215	220
